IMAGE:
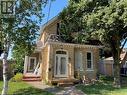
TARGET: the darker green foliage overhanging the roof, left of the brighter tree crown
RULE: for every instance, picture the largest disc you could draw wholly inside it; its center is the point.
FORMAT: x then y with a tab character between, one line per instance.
74	19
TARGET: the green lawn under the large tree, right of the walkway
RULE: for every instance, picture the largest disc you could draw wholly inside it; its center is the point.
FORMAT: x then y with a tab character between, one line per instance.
102	89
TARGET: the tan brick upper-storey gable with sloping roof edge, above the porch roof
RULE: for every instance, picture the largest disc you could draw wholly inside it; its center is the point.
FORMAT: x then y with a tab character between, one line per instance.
49	29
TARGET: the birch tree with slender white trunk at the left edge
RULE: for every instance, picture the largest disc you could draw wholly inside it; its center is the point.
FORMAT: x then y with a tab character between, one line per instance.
20	31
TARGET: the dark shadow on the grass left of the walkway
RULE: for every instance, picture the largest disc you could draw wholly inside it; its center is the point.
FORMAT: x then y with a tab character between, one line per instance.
31	91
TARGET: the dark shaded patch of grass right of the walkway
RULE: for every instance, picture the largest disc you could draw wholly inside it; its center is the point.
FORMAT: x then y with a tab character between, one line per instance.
98	88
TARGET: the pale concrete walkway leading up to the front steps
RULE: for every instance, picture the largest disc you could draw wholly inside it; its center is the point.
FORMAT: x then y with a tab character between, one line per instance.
71	90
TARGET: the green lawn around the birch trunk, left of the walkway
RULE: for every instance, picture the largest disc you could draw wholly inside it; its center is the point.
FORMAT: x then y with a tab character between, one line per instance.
21	88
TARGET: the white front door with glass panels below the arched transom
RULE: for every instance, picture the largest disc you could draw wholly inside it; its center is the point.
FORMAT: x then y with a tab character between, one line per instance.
61	65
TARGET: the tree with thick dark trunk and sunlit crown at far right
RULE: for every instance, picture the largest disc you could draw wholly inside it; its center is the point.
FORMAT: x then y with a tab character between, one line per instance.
110	24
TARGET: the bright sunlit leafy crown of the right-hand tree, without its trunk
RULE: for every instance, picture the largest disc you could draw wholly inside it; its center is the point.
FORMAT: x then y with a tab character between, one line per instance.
108	21
